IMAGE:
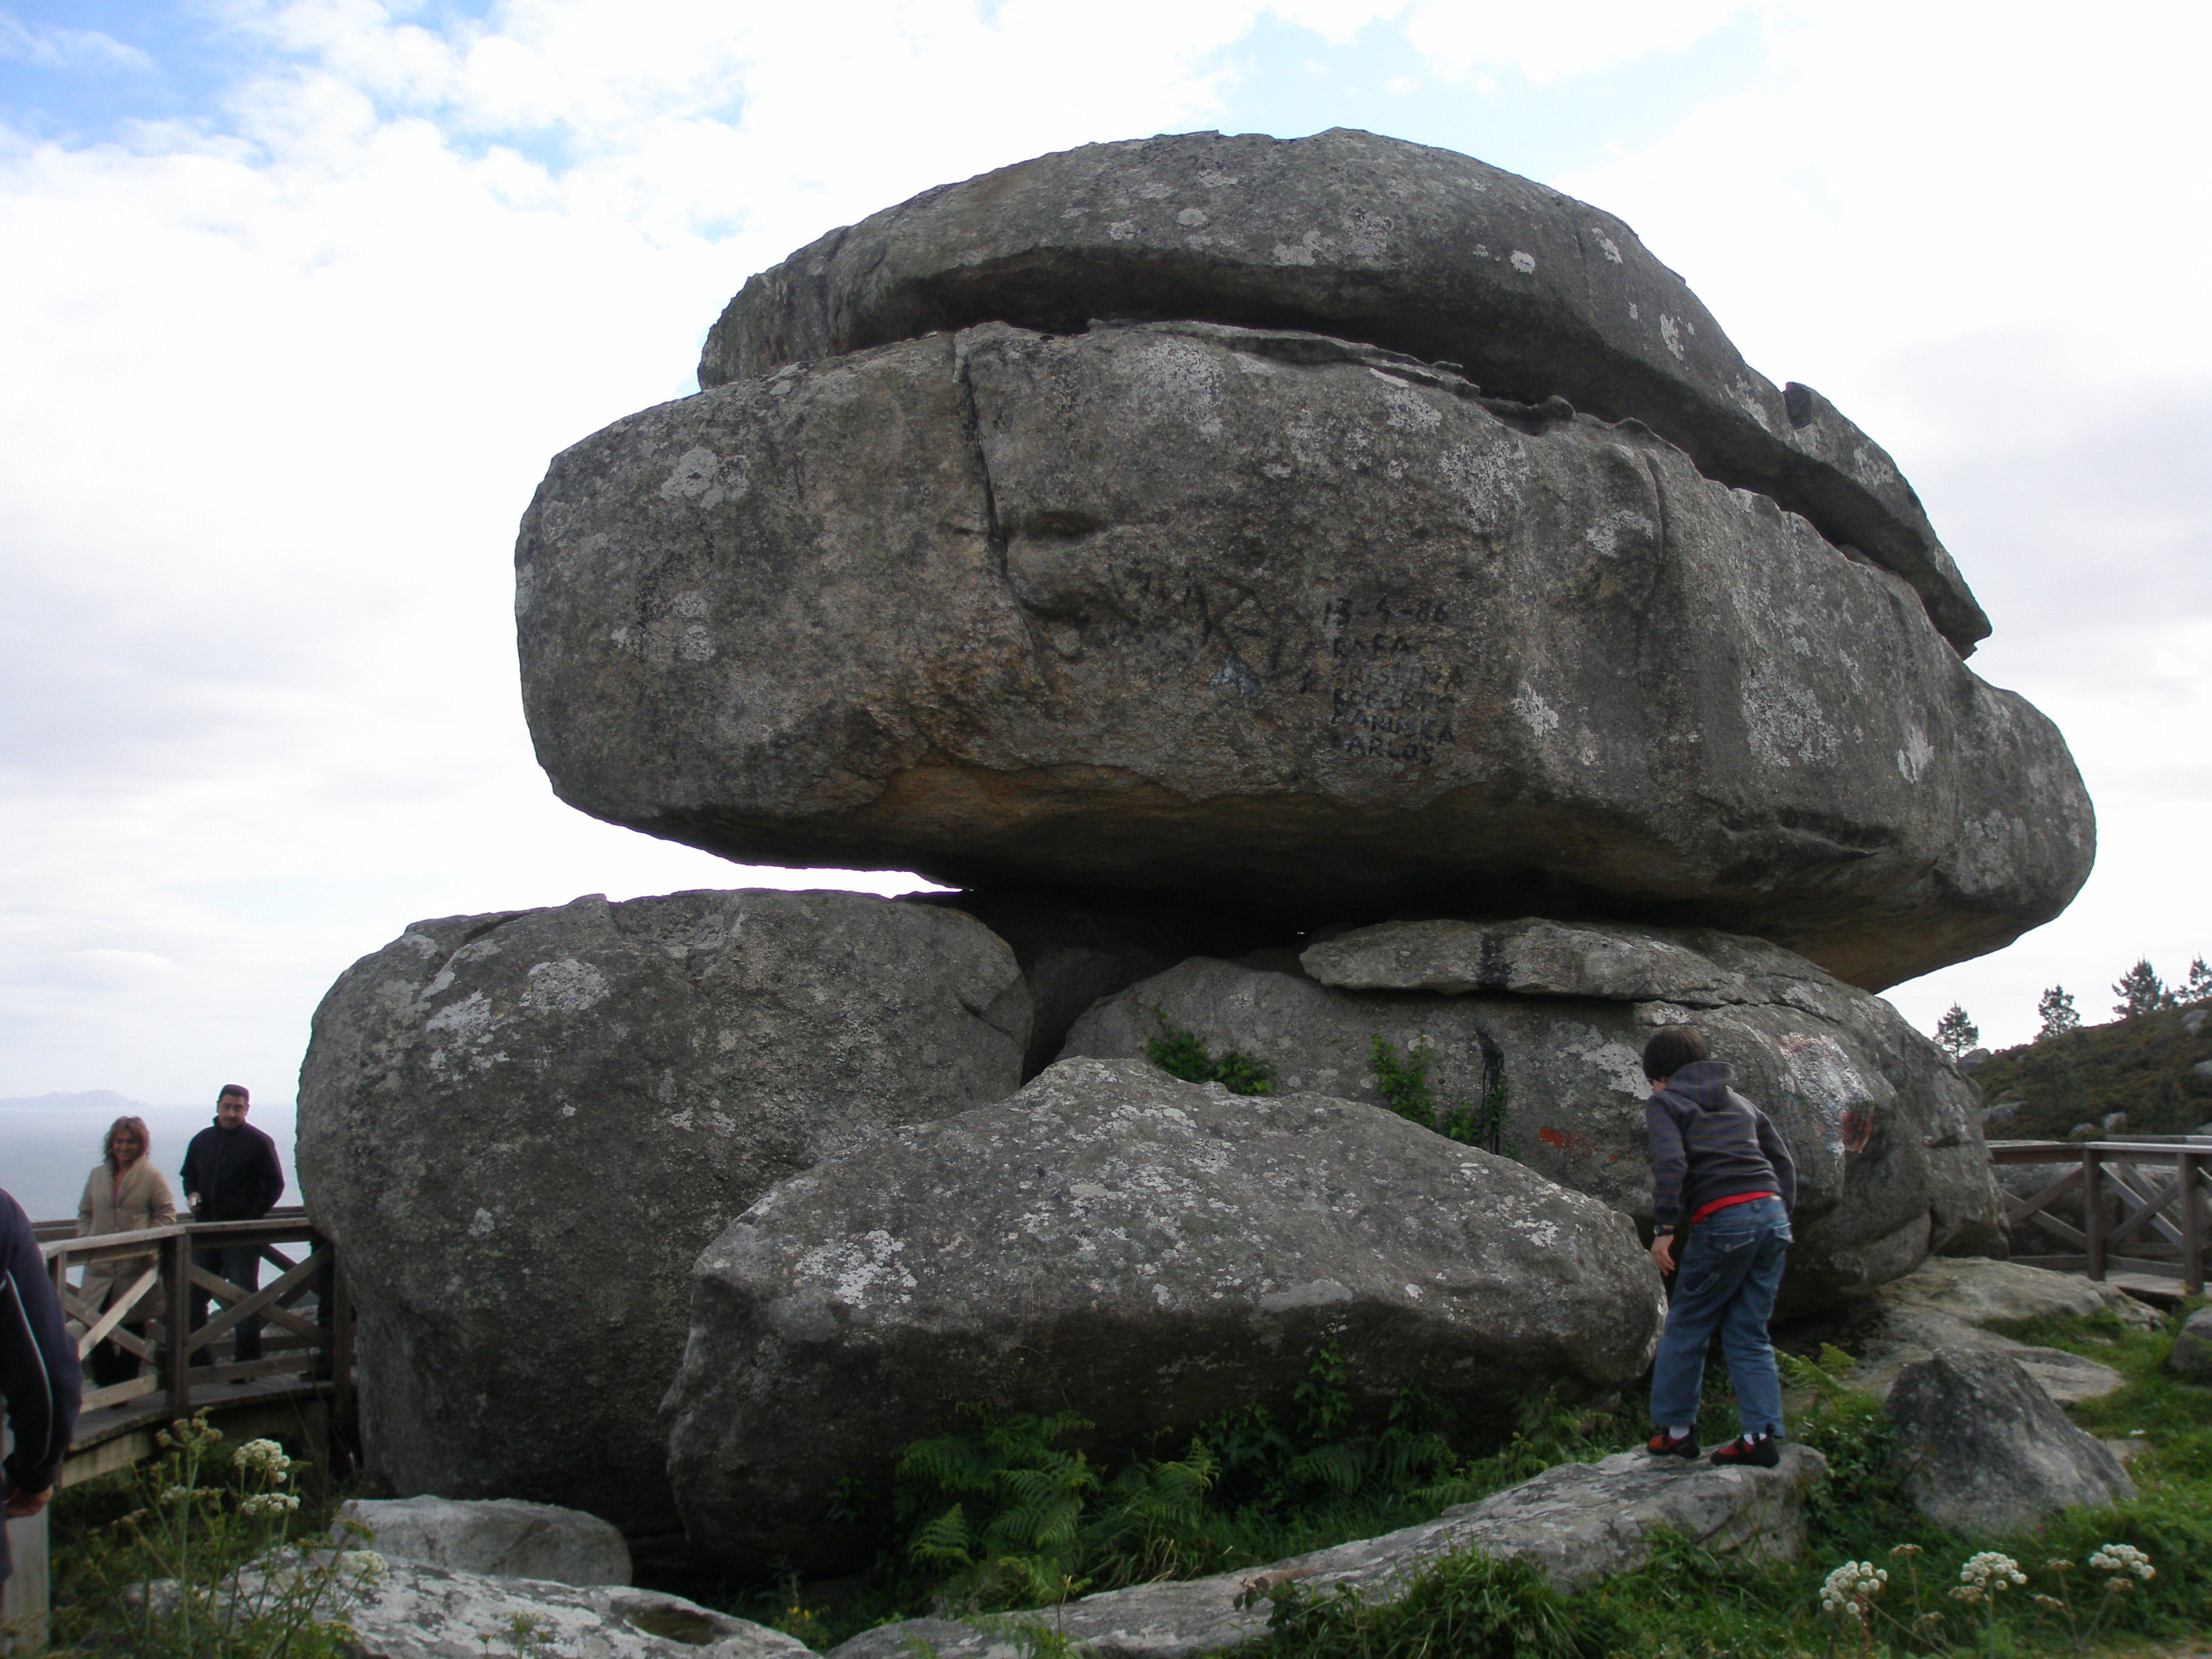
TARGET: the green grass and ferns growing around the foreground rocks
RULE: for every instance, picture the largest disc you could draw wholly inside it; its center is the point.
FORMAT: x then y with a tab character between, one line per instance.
1684	1603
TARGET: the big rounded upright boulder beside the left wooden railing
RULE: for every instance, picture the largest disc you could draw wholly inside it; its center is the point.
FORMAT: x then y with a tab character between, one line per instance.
523	1127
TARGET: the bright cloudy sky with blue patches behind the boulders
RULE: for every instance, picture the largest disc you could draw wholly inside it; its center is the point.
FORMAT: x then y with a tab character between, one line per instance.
300	300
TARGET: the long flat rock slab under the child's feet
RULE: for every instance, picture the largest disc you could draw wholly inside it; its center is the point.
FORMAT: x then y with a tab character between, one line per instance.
1578	1523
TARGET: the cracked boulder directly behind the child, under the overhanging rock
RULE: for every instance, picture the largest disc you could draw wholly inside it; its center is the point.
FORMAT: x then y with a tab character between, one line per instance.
1881	1125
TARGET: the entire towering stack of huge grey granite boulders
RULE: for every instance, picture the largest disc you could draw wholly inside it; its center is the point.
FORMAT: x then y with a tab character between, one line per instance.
1300	594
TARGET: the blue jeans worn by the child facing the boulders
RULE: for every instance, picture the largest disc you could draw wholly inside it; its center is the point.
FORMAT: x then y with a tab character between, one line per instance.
1726	1282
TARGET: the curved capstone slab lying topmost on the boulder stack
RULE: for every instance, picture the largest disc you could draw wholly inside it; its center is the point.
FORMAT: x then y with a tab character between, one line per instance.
1355	236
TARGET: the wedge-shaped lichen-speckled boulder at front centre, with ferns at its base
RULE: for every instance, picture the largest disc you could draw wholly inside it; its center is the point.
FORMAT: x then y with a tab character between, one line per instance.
1138	1251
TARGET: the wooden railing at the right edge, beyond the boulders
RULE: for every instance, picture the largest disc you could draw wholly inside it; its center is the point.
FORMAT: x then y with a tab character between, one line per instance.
2160	1189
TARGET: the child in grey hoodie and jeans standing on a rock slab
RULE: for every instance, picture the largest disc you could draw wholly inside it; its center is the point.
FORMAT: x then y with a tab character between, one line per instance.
1724	1178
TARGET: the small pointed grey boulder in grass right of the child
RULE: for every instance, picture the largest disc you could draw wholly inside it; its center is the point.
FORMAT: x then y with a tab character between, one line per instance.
1985	1452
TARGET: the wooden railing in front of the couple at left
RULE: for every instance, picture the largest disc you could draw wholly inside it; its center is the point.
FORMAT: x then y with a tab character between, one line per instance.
306	1317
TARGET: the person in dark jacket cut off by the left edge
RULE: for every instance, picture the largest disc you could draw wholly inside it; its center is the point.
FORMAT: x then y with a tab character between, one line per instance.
39	1373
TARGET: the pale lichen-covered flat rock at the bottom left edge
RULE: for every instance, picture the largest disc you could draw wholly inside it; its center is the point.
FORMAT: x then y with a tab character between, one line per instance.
437	1614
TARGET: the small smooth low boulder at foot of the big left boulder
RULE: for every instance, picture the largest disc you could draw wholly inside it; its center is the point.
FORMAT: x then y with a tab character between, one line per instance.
497	1536
